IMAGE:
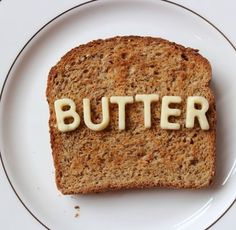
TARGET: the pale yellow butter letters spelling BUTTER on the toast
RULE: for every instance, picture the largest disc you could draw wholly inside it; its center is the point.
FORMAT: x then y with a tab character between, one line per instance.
192	112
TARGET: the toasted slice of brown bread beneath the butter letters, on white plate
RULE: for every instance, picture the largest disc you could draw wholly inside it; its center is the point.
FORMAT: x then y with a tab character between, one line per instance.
89	161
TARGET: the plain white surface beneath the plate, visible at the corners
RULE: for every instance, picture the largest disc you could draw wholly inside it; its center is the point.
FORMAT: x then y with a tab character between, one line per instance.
19	20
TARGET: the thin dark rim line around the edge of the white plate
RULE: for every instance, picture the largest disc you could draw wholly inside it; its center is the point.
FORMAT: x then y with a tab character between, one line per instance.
41	29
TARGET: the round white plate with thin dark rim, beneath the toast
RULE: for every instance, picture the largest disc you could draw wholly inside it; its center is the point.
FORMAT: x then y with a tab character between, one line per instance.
25	147
